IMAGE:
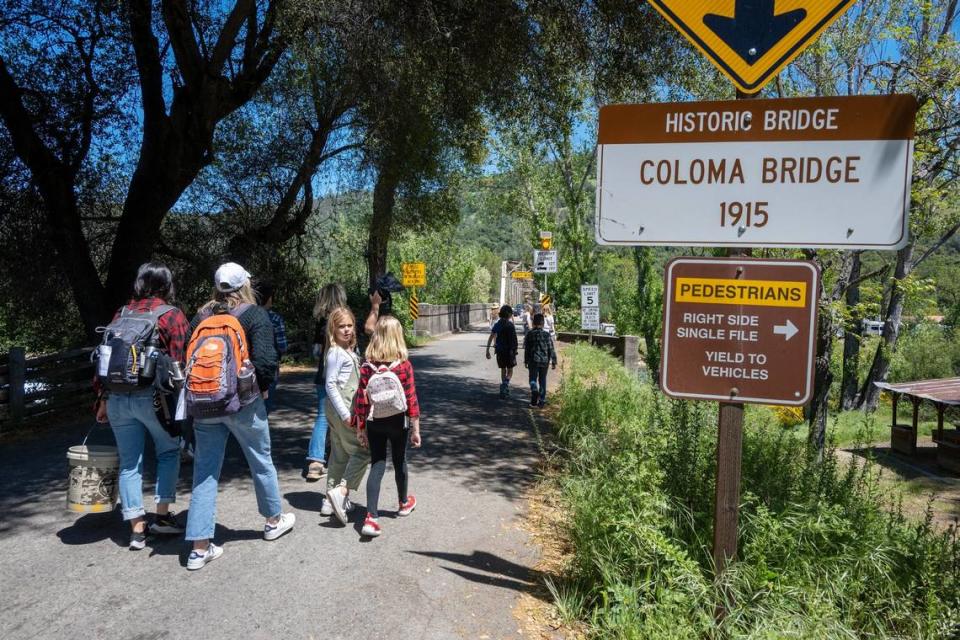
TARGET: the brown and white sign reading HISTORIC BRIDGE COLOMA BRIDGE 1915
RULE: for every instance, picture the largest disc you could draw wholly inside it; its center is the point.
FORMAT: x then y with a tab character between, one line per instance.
800	172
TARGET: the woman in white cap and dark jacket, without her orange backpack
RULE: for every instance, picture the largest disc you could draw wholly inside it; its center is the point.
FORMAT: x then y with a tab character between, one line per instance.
249	425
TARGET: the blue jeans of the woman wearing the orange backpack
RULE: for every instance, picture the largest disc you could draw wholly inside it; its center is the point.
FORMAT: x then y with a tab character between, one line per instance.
249	426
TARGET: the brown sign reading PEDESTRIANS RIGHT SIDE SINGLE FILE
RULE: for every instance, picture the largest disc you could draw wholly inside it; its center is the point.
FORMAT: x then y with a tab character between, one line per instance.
740	330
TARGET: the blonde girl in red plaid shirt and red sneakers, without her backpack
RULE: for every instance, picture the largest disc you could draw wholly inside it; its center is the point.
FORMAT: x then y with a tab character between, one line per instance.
387	348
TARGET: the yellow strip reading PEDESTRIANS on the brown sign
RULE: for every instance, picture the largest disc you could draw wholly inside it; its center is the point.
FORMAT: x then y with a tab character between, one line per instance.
760	293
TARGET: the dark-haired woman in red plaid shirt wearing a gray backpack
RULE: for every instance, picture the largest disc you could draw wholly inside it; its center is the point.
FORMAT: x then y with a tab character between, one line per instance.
145	336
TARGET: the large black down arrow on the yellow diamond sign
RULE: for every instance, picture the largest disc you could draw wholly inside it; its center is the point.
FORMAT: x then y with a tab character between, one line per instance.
754	28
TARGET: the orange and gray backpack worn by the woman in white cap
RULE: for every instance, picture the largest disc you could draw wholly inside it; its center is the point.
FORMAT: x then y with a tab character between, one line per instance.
220	378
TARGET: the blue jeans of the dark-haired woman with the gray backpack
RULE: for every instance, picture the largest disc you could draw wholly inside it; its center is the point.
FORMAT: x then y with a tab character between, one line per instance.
131	418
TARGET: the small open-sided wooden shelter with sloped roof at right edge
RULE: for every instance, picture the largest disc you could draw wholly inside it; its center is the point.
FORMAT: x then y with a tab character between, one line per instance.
943	394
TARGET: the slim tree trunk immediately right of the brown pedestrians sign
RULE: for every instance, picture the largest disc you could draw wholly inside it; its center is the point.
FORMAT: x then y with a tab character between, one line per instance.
822	377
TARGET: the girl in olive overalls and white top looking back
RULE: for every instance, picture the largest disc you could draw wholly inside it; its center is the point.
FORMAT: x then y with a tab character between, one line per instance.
348	459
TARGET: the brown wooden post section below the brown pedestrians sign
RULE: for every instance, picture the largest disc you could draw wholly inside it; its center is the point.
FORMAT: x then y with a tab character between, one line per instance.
727	508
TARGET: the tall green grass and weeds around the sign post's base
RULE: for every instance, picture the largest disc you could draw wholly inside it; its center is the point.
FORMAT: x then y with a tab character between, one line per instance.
823	552
